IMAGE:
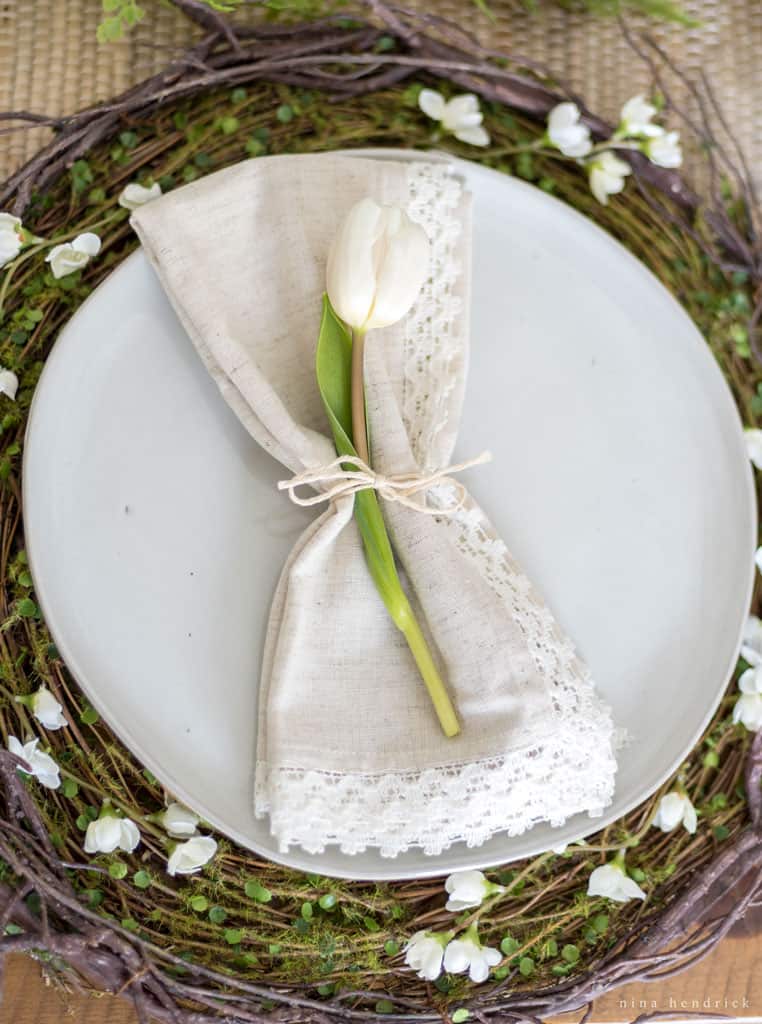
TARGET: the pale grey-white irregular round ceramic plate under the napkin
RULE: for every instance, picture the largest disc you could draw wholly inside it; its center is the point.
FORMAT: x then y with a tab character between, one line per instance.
156	534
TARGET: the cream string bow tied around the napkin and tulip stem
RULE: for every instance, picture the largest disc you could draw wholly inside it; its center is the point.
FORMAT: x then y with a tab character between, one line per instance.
335	481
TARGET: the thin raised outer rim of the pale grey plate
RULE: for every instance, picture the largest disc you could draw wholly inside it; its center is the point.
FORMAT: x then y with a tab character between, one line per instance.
297	859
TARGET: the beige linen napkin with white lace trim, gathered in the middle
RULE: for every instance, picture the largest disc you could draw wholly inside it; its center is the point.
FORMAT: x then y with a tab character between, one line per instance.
350	751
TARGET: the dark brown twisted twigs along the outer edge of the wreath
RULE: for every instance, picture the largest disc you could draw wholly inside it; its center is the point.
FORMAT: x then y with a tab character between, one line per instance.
340	62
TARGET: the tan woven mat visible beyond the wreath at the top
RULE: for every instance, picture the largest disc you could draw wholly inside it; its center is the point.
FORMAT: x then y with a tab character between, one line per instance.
52	63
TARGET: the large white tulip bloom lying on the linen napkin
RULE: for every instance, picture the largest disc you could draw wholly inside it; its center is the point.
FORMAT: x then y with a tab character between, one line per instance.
377	265
